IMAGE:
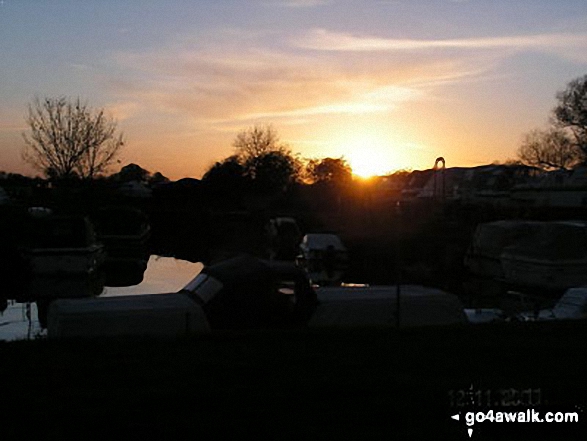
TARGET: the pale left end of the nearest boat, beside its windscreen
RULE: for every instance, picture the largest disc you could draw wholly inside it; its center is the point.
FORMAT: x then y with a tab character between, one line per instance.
158	315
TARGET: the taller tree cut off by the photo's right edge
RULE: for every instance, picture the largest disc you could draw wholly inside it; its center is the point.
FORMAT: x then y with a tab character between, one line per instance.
571	111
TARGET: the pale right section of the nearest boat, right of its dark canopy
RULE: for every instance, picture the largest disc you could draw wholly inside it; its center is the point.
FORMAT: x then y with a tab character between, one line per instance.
377	306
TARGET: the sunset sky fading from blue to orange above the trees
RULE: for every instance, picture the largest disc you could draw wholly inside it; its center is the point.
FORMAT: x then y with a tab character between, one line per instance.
385	84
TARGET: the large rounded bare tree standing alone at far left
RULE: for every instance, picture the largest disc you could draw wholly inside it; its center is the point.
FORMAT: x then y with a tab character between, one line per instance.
69	138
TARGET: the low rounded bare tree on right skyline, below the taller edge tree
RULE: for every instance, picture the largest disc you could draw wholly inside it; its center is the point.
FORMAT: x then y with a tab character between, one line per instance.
549	149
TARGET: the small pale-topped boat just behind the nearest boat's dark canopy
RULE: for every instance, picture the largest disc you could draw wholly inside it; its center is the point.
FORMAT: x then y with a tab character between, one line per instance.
323	257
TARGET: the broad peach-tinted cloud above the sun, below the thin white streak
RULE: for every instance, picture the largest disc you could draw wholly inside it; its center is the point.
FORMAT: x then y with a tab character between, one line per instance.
218	87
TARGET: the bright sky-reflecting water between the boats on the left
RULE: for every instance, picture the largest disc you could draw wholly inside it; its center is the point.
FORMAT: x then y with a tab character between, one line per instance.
163	275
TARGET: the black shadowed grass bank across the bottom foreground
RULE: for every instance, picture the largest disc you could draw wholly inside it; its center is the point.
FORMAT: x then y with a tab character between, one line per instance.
327	384
